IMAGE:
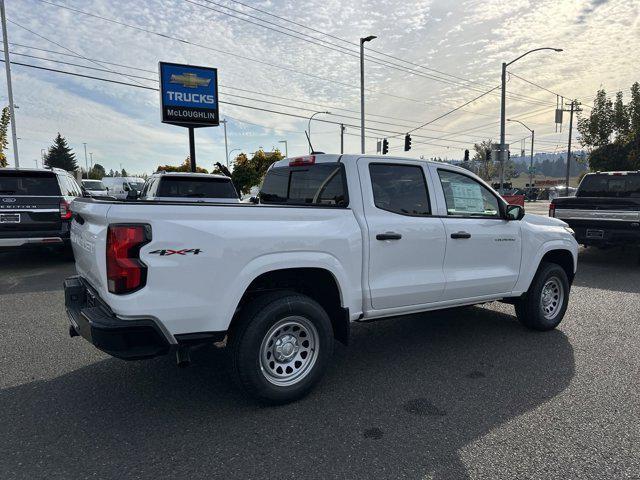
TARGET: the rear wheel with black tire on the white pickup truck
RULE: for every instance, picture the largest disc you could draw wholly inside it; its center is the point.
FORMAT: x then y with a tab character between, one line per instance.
274	317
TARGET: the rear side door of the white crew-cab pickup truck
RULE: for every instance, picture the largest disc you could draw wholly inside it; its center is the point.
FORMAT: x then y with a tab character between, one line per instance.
406	243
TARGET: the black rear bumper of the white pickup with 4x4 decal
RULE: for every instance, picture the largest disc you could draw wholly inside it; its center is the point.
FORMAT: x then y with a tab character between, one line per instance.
95	322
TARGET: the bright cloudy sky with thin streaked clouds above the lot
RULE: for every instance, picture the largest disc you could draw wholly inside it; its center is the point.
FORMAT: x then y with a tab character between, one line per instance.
298	58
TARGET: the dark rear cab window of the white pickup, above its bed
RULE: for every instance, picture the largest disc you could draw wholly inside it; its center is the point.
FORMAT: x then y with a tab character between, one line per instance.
320	184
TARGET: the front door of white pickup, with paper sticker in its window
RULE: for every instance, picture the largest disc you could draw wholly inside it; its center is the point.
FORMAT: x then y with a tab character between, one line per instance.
483	249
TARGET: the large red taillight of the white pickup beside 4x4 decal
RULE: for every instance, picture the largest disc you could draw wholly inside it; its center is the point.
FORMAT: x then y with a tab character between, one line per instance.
125	272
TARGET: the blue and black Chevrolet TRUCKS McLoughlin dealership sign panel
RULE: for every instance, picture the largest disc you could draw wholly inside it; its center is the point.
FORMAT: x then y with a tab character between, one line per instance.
189	95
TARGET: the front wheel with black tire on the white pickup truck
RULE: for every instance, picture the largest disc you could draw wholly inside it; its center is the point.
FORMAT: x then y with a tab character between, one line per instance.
545	314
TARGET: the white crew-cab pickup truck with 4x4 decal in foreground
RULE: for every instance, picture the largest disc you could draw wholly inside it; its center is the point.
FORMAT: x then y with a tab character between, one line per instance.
335	239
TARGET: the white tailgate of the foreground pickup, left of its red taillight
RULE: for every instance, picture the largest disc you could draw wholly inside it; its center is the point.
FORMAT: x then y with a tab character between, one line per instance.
88	239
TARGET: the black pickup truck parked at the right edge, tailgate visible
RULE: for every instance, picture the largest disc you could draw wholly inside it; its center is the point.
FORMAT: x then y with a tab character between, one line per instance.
605	210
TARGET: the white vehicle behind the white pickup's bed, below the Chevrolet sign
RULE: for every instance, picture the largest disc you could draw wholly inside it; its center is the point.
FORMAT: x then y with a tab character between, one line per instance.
189	187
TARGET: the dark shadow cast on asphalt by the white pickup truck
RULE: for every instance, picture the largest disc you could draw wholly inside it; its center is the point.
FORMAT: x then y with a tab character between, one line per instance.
402	401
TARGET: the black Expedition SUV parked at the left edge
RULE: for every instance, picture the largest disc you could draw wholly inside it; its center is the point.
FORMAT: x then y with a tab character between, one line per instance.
34	206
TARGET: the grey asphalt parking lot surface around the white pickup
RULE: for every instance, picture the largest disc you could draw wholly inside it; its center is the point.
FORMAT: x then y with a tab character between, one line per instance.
466	393
